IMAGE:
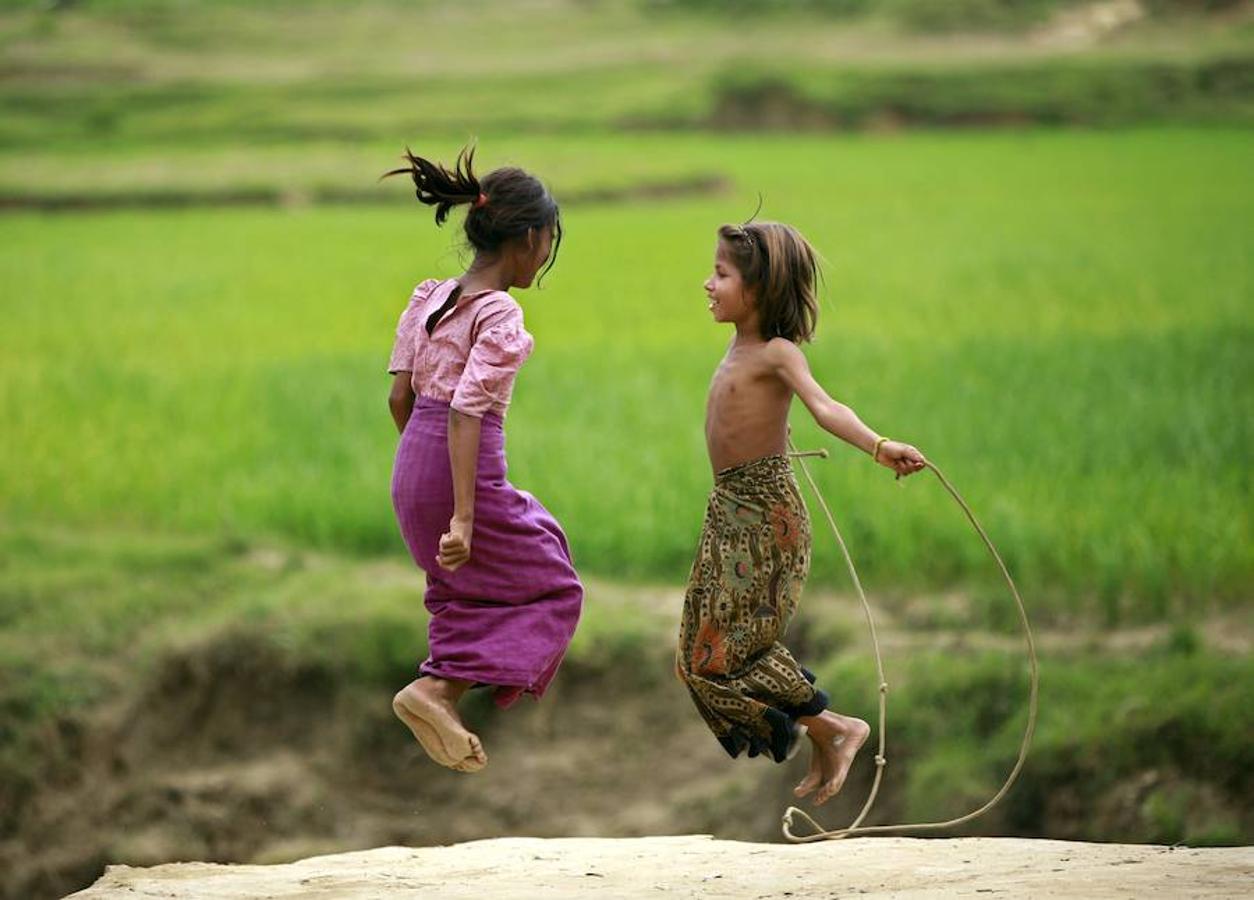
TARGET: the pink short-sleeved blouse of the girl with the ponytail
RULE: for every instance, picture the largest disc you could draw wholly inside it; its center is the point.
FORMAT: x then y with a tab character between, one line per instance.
473	355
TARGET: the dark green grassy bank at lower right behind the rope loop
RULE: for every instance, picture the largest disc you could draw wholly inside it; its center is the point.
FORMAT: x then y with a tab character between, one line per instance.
1141	749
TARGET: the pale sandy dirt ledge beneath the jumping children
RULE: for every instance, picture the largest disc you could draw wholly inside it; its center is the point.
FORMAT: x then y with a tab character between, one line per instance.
699	867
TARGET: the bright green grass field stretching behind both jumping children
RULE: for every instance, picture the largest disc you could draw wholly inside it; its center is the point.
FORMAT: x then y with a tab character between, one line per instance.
1060	320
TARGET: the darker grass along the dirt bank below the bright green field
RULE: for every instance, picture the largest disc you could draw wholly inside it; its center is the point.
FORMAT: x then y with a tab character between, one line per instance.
1142	745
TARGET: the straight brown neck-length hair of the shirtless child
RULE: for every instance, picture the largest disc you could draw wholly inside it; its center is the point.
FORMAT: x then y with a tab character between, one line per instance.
781	266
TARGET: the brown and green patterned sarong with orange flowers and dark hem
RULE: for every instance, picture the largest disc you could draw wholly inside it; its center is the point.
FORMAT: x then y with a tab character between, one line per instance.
746	585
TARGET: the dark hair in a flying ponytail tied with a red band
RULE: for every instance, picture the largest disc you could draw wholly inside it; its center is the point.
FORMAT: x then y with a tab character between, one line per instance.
506	204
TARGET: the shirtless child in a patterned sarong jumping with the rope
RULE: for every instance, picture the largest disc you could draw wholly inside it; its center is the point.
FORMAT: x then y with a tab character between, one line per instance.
754	553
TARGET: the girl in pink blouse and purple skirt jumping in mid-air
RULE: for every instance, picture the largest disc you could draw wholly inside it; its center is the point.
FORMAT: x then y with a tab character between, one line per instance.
501	587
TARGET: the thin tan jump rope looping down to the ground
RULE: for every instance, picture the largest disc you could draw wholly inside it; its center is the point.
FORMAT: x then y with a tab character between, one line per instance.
818	832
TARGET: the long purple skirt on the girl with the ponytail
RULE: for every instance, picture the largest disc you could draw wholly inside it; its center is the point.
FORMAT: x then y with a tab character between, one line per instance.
506	617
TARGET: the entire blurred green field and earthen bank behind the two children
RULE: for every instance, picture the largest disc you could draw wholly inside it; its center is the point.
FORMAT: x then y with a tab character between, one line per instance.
1035	221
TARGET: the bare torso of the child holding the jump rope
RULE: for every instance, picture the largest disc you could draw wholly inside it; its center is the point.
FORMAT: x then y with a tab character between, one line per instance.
747	413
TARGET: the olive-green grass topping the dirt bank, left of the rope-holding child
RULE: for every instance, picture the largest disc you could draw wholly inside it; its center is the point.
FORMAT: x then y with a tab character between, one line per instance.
90	619
